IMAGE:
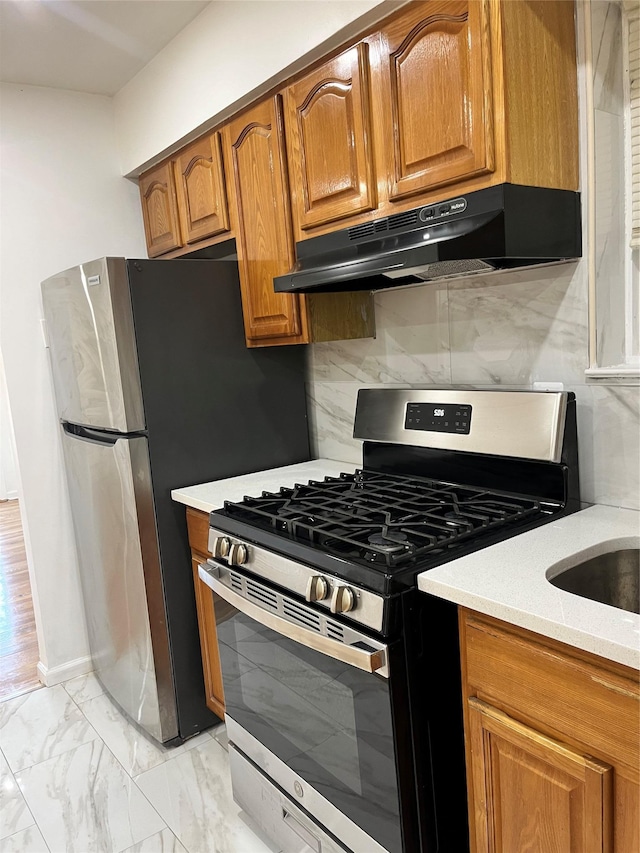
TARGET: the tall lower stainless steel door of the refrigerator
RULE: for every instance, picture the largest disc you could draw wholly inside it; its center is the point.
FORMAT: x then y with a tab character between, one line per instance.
112	507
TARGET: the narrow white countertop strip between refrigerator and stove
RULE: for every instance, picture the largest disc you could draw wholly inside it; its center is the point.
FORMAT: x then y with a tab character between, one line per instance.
210	496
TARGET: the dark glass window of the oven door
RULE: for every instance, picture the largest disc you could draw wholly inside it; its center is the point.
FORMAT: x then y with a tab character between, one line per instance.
328	721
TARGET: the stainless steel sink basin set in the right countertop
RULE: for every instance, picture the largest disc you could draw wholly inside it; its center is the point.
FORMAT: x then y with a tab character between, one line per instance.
612	578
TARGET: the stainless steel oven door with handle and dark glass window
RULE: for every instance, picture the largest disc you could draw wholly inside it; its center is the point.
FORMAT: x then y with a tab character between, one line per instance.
308	701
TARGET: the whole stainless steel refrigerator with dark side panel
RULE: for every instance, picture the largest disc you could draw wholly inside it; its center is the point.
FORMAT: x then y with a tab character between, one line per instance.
156	389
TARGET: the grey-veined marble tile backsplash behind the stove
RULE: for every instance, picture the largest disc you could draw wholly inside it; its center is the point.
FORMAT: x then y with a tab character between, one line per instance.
509	330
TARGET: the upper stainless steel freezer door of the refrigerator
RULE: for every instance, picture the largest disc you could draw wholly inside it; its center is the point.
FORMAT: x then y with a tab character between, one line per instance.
89	324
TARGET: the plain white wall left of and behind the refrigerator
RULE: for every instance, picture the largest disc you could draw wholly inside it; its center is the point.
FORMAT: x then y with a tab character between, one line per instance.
62	202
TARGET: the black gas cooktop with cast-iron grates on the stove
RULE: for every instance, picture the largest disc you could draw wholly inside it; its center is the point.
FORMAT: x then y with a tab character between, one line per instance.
380	523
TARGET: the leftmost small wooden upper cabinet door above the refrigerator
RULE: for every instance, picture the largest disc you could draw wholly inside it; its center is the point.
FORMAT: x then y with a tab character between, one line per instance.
160	210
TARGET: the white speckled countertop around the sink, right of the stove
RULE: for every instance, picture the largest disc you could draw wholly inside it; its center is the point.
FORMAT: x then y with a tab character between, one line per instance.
509	581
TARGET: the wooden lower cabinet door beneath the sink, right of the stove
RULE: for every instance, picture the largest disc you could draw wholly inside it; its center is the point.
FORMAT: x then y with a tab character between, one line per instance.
535	793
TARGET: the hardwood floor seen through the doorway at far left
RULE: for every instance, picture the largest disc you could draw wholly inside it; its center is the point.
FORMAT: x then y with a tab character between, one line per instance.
18	642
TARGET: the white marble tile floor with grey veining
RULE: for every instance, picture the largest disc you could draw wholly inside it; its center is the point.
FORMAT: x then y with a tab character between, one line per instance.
77	777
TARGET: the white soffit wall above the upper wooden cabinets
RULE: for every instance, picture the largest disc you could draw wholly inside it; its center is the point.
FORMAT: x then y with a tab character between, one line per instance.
233	48
